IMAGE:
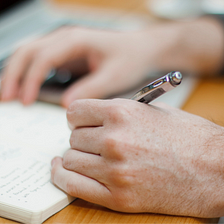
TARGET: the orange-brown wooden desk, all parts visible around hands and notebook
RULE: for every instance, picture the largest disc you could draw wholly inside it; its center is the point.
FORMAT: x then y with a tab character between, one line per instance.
207	101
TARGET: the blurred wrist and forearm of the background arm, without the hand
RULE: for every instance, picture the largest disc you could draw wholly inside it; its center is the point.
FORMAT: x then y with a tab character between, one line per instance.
196	46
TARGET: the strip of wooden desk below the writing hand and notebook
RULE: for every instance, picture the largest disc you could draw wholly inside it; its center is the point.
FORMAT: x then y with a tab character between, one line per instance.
82	212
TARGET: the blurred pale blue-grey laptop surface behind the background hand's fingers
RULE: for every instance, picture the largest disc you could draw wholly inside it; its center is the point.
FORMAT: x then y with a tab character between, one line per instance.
19	26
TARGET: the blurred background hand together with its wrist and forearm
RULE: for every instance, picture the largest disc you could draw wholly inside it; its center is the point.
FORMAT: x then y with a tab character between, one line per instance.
114	61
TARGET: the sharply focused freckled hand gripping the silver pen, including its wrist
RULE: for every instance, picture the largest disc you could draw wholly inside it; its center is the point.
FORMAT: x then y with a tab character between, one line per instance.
133	157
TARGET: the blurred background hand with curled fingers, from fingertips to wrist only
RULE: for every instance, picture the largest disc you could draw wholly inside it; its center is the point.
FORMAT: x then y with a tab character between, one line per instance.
115	62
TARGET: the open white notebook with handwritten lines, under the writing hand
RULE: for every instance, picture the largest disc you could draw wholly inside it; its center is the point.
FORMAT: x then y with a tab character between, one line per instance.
29	138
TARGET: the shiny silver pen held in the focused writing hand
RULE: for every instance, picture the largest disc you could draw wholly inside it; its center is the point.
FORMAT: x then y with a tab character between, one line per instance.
158	87
